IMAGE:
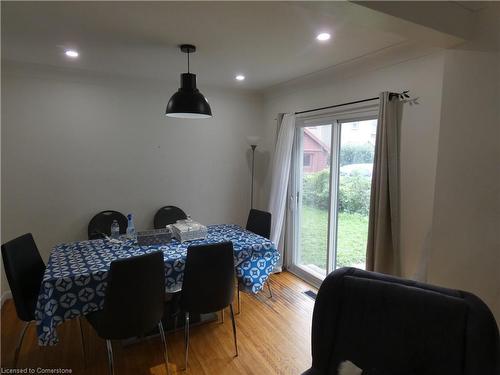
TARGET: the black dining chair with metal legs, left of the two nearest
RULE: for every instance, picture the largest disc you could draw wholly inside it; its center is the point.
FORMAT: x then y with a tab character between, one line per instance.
134	301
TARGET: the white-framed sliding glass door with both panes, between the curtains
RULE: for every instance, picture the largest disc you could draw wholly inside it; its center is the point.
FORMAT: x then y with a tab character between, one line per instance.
331	181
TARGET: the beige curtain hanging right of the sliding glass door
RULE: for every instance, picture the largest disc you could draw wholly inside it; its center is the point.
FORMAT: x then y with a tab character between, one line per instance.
383	248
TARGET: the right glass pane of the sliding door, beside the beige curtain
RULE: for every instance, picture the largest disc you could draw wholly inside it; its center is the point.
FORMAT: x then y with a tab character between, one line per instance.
357	146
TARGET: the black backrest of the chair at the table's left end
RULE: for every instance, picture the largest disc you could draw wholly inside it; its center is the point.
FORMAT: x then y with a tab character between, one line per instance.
24	269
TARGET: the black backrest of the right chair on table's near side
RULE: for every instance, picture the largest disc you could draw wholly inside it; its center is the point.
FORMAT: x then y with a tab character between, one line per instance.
209	278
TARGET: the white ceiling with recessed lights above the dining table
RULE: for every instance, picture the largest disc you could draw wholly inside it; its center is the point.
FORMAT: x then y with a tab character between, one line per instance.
268	42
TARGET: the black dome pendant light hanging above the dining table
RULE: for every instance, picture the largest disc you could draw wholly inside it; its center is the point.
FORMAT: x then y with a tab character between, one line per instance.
188	101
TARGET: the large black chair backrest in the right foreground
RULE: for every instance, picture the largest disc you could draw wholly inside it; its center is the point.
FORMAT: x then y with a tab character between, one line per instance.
389	325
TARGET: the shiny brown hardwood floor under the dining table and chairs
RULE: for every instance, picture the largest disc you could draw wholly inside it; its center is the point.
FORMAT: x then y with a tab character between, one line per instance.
274	337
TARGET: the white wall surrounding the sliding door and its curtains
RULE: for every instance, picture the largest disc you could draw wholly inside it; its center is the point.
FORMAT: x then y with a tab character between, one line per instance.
420	129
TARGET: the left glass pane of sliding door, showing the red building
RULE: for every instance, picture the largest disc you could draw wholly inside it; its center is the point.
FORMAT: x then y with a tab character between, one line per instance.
314	198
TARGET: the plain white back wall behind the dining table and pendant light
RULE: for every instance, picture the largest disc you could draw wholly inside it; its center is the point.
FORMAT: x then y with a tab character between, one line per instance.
74	144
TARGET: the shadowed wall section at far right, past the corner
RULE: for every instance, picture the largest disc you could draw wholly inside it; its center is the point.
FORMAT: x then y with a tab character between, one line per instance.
466	234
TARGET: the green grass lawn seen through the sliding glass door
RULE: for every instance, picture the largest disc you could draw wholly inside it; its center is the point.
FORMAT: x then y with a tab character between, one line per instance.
352	236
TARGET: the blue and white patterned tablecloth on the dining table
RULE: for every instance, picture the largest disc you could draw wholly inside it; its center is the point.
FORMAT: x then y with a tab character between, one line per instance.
74	283
